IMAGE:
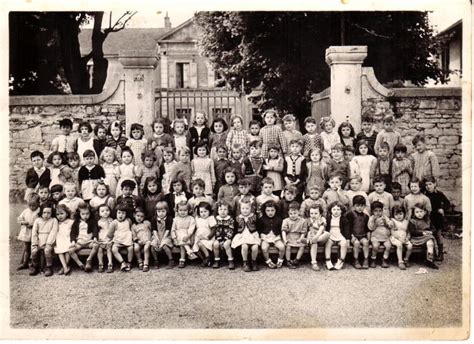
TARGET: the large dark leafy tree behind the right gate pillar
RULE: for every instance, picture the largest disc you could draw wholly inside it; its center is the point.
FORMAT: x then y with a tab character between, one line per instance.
283	53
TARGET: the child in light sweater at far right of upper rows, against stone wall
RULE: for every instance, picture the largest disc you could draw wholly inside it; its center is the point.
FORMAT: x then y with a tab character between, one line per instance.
425	162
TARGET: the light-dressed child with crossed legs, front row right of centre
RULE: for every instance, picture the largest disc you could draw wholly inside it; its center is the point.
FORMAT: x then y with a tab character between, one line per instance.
317	234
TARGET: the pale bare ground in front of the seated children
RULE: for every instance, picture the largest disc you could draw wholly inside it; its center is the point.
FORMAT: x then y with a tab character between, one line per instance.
195	297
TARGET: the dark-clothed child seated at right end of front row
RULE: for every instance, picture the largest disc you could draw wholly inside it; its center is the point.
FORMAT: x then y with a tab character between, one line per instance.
421	232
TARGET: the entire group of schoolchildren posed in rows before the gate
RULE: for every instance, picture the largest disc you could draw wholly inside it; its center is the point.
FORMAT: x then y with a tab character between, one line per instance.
208	190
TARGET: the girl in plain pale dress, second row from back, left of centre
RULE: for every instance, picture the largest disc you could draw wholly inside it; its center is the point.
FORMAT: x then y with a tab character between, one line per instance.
202	167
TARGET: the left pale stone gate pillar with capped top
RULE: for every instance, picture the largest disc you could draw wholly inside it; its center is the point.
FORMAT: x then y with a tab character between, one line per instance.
139	87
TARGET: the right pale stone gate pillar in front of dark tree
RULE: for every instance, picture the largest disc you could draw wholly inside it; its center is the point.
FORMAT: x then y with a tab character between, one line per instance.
346	85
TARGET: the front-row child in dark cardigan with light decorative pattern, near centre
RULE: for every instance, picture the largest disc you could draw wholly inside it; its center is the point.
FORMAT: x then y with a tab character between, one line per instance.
224	235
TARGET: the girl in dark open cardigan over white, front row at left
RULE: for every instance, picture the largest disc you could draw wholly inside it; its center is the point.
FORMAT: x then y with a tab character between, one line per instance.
84	234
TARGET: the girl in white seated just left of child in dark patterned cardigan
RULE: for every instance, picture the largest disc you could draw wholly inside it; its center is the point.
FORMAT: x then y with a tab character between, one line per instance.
205	228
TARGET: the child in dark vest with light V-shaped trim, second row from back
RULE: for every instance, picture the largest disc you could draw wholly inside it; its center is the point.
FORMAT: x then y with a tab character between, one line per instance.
295	169
